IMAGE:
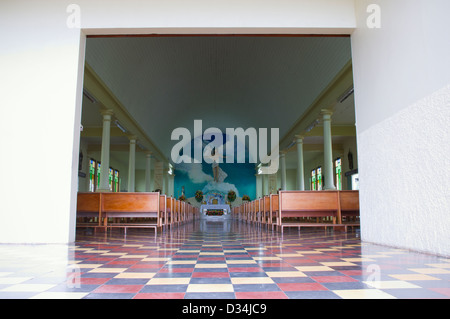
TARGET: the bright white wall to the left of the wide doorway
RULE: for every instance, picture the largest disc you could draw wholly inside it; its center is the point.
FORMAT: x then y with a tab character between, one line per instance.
39	59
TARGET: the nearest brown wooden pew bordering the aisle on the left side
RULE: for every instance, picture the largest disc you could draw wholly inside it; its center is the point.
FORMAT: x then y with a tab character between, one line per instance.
132	205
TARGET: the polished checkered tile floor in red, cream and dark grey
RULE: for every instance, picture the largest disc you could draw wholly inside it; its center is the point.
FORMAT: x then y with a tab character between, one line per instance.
220	259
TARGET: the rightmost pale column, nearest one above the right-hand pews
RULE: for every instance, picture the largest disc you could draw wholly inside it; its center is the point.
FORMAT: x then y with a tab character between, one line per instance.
327	151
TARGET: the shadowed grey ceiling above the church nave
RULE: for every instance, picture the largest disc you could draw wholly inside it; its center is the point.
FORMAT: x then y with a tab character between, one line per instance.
165	82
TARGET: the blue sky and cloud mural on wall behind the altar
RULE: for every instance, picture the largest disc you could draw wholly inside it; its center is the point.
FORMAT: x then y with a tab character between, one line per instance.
216	178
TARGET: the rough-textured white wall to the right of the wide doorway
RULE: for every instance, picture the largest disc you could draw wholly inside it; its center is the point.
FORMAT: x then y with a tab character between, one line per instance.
402	96
